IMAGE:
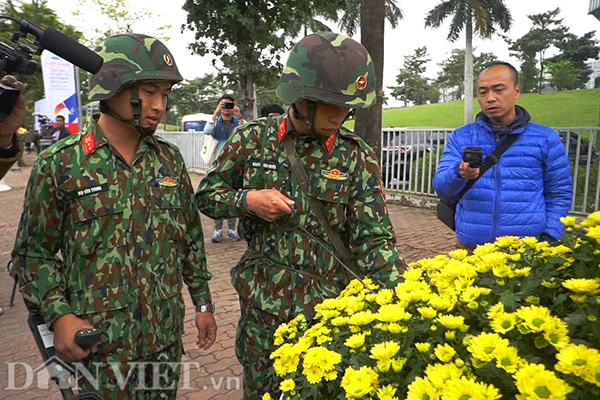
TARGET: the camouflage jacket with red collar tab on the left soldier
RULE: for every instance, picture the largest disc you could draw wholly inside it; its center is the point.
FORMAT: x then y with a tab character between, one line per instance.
112	243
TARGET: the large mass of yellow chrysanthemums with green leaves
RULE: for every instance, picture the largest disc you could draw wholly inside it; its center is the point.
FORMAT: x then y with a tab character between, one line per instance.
514	319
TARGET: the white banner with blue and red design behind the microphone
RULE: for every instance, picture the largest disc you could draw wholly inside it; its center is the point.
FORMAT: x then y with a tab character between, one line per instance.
59	87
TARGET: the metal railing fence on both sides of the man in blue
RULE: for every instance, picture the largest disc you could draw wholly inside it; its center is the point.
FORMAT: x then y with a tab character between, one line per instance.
409	158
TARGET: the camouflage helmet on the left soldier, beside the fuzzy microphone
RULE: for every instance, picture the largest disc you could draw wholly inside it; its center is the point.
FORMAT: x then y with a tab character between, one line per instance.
131	58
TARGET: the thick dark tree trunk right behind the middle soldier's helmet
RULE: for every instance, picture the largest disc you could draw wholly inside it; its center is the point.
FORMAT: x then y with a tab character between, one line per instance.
372	24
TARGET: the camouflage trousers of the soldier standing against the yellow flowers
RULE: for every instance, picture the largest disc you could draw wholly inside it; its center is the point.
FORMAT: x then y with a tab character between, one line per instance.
253	346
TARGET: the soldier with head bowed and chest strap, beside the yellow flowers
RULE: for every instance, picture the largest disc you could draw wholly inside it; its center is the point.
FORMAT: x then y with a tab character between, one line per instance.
284	272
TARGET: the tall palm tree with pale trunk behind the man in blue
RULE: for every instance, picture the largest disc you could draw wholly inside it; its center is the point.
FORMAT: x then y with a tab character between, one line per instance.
482	15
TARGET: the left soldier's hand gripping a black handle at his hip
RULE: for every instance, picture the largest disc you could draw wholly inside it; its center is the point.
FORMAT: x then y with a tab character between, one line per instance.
64	338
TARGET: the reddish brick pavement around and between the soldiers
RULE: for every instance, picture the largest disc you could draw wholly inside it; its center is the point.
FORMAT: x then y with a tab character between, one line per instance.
219	375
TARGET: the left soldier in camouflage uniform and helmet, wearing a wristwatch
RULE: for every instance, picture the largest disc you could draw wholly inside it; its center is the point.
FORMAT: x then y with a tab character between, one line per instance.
109	231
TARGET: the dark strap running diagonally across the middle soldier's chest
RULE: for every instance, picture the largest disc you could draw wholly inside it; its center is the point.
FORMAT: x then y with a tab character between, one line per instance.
289	144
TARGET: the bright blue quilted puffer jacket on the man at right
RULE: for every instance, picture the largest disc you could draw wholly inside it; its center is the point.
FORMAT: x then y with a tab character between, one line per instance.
525	194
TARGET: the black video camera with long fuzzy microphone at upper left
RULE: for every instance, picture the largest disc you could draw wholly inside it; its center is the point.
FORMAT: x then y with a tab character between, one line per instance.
18	59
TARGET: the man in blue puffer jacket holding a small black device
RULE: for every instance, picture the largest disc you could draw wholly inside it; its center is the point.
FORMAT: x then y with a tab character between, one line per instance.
530	188
